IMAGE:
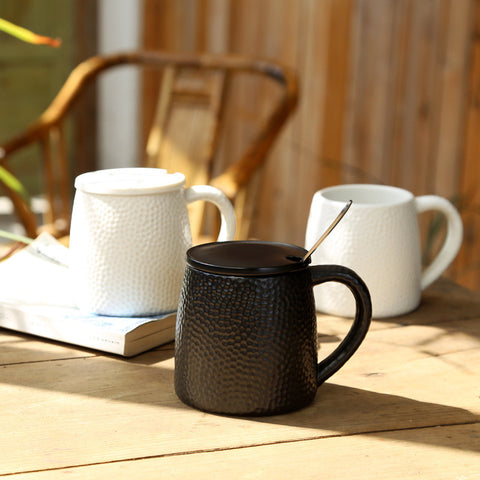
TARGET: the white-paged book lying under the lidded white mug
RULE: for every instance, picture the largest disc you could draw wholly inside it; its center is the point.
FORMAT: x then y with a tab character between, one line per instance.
36	298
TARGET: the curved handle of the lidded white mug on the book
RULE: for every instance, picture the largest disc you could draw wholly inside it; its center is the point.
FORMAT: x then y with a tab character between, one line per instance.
218	198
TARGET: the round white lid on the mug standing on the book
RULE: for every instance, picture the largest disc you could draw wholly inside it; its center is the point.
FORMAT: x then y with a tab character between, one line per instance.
129	181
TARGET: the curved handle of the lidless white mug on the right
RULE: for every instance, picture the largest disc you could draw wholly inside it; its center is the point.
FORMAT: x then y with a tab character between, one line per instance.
452	241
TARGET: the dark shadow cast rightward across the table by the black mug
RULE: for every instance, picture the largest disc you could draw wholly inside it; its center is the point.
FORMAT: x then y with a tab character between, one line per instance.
345	411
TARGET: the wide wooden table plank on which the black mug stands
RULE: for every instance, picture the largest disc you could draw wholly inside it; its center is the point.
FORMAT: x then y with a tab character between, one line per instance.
90	411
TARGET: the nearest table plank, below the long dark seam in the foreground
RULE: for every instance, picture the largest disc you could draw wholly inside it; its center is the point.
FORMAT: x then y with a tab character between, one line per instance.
439	453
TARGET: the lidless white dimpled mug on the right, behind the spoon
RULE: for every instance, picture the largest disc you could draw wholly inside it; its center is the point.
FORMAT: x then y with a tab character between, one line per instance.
379	239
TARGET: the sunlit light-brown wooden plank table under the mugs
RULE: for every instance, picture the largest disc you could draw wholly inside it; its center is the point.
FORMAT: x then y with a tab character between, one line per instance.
407	405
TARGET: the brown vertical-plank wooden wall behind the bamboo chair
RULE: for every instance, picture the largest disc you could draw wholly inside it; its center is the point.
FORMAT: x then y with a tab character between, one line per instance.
390	93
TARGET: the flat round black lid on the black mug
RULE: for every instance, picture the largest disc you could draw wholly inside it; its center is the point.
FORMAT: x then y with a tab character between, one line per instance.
247	257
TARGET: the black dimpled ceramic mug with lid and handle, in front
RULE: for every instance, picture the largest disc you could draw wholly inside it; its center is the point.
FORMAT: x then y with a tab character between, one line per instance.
246	335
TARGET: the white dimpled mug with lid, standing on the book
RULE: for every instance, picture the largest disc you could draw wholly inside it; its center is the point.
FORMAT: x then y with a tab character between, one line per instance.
129	235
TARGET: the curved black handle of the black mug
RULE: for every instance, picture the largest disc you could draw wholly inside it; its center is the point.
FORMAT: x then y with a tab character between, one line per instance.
336	273
